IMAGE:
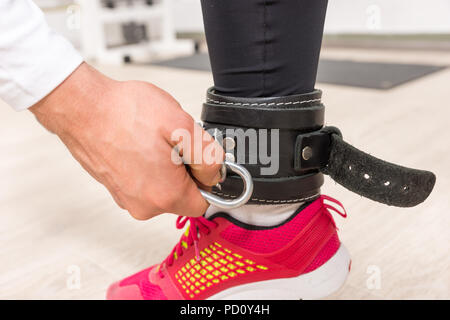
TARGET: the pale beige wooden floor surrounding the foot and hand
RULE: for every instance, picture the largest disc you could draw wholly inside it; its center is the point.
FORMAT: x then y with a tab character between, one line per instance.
57	223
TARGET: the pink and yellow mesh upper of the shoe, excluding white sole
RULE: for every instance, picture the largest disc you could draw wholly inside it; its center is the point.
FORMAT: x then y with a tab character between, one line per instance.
225	253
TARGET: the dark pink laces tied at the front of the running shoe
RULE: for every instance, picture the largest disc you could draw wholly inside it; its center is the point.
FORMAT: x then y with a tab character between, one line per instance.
197	226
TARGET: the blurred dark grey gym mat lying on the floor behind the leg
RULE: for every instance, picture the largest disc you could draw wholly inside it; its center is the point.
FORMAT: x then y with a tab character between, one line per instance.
373	75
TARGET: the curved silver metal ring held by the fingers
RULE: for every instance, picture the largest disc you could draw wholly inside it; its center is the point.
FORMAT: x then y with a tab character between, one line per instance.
239	201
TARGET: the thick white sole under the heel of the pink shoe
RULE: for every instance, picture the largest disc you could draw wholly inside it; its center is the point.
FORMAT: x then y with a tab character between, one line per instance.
316	284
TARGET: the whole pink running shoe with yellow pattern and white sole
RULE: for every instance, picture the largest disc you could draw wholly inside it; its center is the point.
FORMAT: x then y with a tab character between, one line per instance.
301	258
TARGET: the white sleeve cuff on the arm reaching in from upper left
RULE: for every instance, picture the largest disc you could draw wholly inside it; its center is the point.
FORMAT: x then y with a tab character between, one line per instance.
34	60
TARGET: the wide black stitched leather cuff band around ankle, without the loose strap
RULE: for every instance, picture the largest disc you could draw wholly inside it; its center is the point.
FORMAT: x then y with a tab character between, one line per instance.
282	119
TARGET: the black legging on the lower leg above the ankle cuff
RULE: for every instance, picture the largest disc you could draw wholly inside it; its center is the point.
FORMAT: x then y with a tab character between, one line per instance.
262	48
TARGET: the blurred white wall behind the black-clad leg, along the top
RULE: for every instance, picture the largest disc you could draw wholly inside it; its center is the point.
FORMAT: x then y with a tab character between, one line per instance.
354	16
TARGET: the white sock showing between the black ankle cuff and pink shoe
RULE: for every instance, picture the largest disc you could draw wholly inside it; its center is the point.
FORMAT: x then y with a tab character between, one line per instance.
259	215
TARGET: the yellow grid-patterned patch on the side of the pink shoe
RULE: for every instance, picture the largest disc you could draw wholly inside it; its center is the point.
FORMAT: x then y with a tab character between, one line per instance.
215	266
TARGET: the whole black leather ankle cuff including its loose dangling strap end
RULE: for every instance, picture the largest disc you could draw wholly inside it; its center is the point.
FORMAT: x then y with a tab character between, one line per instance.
306	149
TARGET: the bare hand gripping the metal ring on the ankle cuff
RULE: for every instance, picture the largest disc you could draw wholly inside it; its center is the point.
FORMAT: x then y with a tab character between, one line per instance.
121	133
